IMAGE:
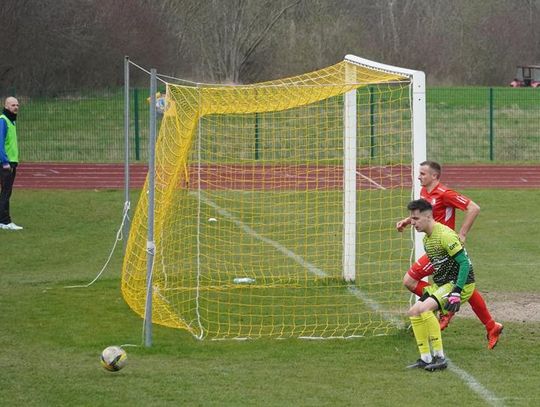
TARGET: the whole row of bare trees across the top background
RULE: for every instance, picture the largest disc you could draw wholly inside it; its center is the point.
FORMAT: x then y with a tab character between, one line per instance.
51	45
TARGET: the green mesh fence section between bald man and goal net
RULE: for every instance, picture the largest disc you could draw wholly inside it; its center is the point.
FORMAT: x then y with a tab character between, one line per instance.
82	126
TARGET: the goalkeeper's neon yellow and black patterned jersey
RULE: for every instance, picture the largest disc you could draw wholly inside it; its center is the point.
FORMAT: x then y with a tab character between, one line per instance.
441	248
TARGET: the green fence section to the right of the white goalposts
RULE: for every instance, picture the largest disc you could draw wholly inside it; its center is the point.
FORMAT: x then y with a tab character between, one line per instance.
492	125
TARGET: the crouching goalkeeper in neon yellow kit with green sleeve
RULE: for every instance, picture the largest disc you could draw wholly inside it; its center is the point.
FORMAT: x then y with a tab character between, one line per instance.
453	280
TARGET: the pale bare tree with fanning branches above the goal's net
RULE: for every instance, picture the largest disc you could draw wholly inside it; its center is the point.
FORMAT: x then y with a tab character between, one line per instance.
223	36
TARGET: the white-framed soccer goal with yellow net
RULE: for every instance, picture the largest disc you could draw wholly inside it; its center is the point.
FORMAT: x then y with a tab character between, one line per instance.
275	205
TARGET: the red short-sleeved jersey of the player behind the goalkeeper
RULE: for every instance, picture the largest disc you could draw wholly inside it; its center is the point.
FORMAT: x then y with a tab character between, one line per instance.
444	202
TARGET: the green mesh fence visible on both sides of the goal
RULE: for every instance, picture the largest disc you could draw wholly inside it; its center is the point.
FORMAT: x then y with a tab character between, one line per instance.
465	125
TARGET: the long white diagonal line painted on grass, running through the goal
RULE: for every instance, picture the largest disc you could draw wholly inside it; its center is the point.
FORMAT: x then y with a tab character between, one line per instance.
468	379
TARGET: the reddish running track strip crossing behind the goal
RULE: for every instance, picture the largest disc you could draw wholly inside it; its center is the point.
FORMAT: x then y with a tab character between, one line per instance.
295	177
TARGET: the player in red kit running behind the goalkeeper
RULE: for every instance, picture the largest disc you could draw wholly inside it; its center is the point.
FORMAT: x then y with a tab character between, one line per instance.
445	201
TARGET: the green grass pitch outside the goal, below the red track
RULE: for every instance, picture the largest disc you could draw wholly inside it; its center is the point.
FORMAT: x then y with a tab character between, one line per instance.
51	336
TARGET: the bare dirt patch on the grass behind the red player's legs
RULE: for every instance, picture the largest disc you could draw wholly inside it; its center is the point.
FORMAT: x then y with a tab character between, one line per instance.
512	307
